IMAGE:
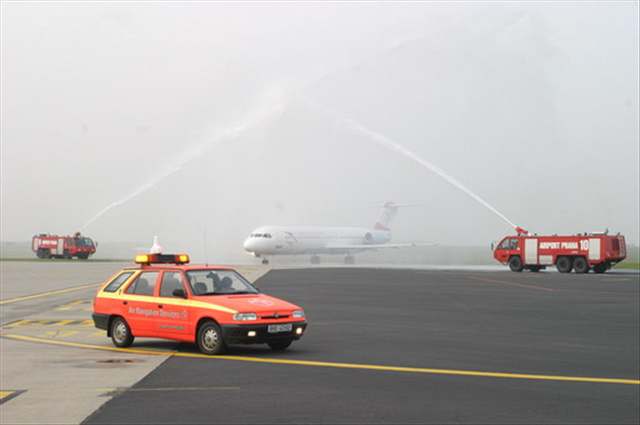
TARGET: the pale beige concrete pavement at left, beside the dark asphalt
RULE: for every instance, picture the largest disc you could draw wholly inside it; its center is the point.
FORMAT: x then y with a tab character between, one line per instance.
55	384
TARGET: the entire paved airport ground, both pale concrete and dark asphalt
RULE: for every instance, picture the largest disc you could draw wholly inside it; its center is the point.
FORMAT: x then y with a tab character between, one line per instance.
383	345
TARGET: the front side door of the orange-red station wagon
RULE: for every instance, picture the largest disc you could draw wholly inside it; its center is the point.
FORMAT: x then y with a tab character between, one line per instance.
173	321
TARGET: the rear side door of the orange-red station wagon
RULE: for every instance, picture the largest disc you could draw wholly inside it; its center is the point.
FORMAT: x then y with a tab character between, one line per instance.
140	302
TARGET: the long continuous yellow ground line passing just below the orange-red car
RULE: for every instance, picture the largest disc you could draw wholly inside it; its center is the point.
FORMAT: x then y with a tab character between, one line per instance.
381	368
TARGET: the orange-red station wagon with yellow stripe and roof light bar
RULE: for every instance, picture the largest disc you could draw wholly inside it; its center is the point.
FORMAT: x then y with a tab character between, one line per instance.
211	306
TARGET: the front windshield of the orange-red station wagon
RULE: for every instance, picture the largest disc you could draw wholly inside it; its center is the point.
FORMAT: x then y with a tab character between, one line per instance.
218	282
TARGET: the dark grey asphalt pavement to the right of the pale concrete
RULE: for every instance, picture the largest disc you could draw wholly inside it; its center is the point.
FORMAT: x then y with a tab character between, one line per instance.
479	347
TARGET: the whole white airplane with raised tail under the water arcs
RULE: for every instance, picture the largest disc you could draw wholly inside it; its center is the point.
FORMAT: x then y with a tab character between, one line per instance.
266	241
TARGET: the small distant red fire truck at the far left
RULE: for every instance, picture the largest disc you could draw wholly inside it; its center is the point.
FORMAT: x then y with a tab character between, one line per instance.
54	246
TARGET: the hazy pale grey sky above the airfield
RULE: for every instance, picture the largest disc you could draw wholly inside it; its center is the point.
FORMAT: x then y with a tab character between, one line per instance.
225	117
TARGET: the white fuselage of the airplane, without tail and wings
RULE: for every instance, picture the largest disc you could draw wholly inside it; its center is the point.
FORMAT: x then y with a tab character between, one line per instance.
292	240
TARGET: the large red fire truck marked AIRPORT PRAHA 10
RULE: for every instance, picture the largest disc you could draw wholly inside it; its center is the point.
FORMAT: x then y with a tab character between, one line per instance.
581	252
